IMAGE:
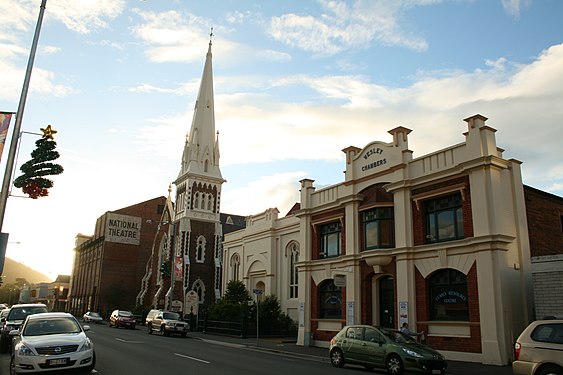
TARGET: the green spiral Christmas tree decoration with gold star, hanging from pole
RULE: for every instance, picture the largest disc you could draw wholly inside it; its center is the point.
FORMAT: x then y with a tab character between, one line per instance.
32	181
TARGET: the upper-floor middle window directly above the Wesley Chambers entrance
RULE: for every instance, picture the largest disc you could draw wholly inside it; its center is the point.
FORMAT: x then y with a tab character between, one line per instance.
379	228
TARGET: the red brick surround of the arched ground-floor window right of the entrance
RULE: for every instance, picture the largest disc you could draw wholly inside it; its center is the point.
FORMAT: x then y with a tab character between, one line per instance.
459	344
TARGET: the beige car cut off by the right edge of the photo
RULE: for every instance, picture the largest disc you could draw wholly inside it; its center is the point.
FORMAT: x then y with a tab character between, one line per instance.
539	349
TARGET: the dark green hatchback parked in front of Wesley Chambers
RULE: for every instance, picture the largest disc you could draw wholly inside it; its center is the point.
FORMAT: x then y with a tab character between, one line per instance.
378	347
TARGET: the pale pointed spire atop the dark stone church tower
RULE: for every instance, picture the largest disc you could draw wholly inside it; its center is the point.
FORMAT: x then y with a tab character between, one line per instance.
201	153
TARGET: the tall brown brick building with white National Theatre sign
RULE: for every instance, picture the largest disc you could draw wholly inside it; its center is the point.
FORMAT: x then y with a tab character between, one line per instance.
109	265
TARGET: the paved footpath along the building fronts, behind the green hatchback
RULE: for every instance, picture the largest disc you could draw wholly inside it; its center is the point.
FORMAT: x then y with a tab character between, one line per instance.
288	347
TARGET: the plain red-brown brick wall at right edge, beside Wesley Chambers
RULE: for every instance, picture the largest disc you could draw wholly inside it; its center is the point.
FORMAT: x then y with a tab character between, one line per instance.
544	212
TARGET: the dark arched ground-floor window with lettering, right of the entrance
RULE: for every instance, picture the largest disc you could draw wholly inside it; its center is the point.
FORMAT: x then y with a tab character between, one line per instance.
448	295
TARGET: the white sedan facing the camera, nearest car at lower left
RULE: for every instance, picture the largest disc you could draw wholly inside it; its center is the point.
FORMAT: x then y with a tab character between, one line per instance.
51	341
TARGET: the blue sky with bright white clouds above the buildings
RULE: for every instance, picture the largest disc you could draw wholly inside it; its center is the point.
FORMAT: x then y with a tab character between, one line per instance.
295	83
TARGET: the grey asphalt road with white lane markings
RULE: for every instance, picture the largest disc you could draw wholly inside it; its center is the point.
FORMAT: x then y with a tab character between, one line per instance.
122	351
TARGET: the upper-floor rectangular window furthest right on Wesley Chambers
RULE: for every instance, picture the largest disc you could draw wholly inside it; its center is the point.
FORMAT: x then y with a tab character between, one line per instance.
444	219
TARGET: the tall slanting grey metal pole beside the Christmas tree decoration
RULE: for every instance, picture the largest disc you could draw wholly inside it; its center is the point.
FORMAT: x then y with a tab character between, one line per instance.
19	116
